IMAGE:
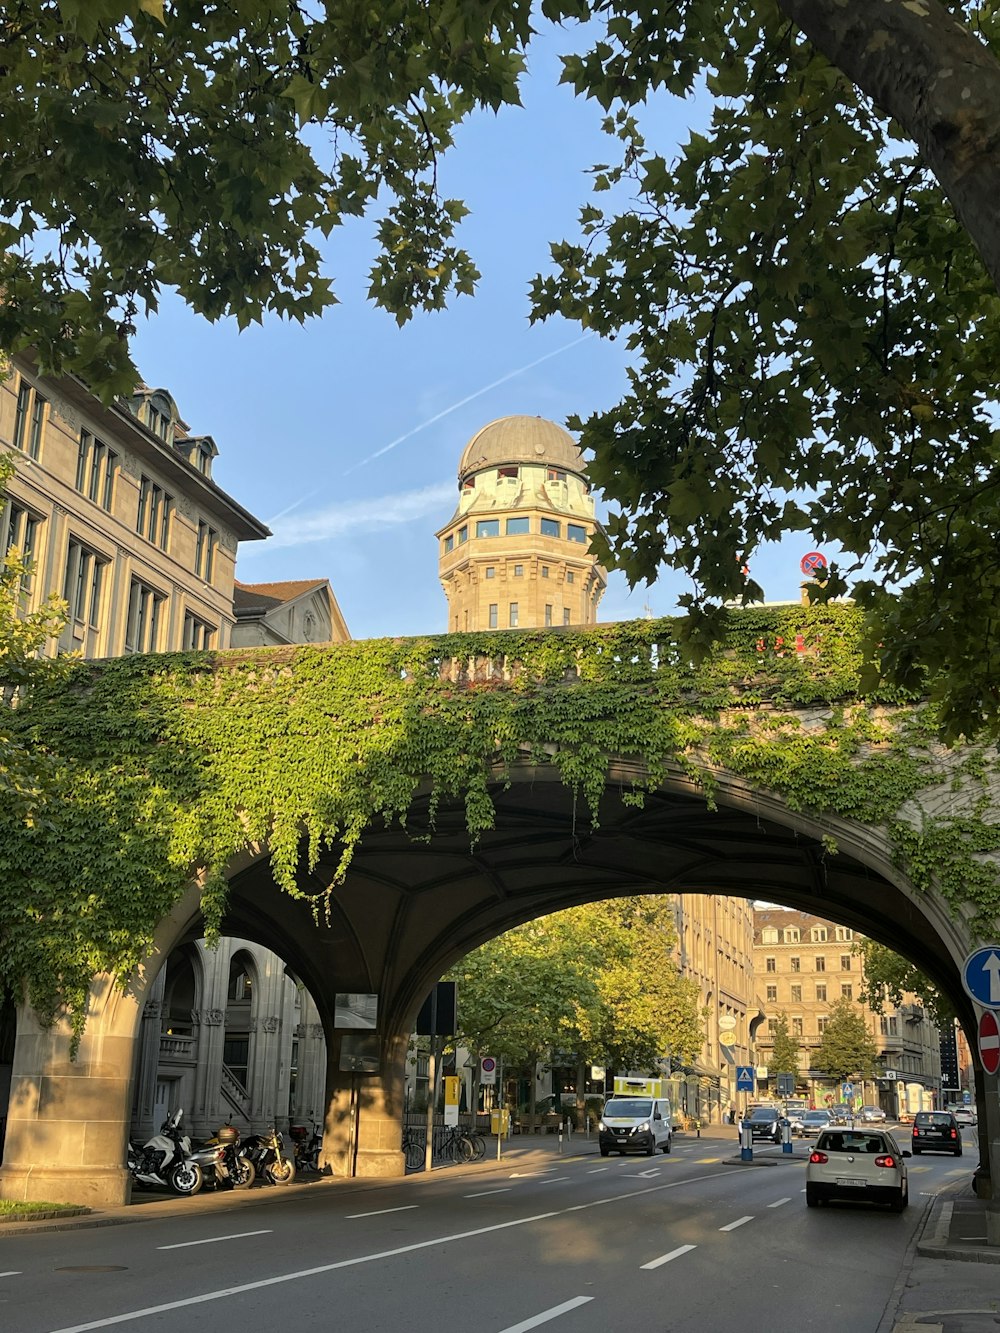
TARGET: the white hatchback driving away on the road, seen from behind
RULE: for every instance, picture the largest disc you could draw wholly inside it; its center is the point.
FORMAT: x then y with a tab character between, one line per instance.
865	1166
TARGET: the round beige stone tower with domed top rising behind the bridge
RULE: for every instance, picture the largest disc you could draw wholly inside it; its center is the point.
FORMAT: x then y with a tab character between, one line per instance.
517	551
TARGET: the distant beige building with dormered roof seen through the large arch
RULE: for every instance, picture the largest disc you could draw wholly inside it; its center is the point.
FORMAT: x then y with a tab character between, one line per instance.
803	966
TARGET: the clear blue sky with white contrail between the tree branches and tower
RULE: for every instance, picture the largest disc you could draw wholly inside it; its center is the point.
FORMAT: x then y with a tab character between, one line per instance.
345	435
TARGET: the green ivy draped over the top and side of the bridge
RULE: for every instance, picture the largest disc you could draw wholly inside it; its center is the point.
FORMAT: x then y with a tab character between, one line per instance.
165	766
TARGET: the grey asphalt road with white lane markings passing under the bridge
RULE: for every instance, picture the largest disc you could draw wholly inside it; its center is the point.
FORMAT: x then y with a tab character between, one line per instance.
577	1246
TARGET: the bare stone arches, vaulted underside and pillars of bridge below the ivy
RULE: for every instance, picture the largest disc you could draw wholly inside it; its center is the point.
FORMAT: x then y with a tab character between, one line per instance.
417	899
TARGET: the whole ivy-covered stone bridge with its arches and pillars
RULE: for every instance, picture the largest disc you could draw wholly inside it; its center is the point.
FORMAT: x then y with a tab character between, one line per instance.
374	811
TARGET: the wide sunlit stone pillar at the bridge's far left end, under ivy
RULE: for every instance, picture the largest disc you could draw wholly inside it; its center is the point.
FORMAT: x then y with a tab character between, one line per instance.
67	1127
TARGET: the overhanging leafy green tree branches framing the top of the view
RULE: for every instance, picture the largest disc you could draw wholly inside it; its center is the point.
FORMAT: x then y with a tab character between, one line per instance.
809	290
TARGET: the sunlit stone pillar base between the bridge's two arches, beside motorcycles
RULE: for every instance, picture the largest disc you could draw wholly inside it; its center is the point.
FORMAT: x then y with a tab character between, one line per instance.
363	1130
